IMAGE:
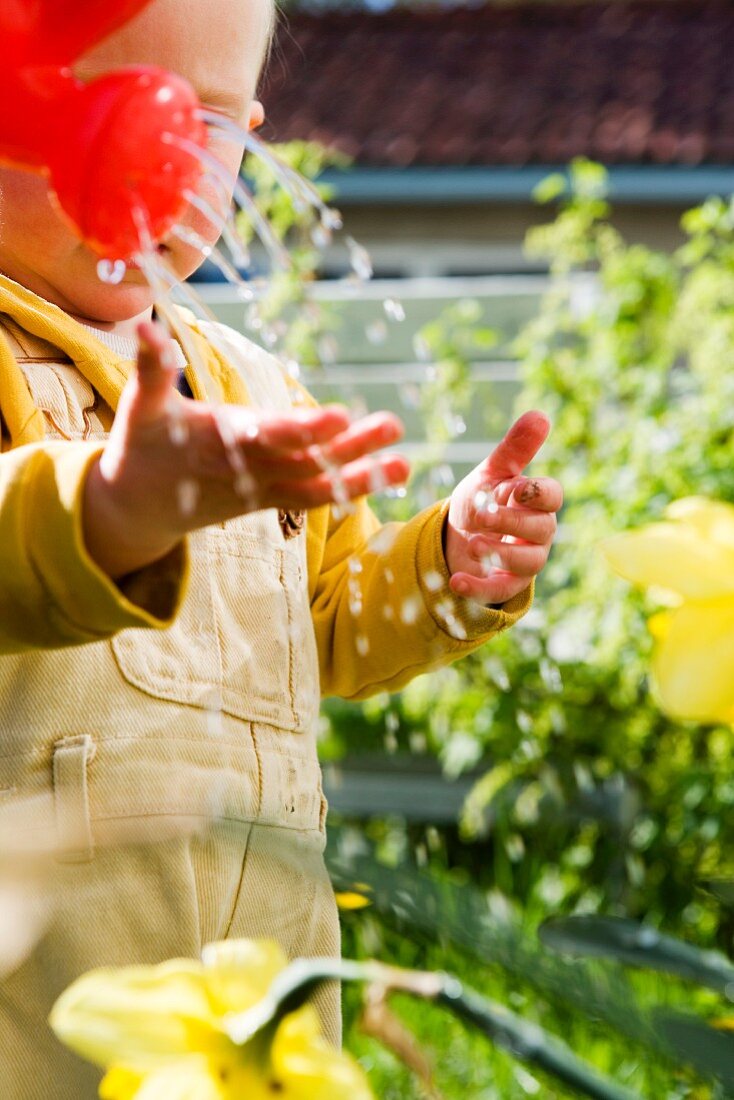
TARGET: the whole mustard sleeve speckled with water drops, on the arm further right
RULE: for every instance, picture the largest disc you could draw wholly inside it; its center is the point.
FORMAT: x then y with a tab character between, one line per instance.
382	609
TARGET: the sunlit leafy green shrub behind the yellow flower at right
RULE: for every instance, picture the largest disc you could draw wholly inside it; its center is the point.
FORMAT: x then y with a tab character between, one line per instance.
594	800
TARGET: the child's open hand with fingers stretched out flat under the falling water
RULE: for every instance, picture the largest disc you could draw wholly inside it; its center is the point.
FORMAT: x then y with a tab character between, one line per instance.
172	466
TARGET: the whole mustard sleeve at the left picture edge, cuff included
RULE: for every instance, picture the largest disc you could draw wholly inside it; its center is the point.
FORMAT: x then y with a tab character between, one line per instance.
52	595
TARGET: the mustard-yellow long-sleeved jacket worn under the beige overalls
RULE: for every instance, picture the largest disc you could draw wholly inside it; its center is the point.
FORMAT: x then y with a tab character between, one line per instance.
53	596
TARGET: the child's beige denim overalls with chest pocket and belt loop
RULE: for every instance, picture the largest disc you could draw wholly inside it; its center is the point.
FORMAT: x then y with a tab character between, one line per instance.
174	772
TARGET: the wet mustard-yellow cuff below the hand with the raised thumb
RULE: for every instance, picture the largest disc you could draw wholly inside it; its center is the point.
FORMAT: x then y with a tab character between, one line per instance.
464	620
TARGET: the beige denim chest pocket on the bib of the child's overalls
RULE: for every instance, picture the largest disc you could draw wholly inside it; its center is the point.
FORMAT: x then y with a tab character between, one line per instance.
244	640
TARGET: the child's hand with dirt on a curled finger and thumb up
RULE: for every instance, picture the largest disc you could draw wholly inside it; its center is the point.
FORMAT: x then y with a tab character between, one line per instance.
496	542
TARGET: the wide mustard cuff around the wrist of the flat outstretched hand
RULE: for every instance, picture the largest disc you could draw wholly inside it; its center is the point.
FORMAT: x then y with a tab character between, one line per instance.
84	603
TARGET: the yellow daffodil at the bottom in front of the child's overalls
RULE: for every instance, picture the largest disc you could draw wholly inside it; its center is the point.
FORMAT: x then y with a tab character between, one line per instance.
162	1033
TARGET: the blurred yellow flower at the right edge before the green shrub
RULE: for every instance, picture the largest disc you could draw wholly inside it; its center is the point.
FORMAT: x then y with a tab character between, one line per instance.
691	558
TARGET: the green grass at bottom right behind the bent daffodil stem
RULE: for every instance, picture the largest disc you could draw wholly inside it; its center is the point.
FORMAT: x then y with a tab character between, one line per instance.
467	1066
